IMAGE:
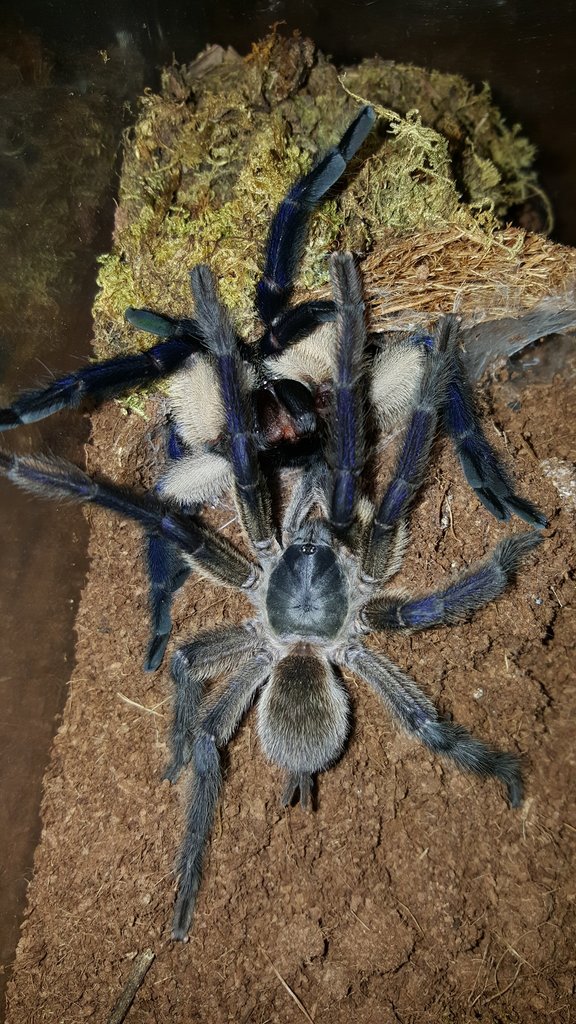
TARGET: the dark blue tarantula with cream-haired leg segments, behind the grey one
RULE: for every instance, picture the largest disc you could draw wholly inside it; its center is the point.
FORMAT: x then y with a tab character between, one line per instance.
291	373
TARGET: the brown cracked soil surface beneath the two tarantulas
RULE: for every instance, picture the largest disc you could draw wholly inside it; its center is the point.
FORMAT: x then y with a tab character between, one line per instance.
413	894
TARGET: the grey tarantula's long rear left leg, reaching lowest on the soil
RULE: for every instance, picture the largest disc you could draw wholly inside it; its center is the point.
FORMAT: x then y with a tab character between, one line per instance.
215	731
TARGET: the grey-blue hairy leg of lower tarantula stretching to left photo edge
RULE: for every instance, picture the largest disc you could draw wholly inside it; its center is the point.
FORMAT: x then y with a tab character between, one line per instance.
51	478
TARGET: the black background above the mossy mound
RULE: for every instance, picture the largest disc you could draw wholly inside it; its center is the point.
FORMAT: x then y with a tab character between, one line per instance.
524	49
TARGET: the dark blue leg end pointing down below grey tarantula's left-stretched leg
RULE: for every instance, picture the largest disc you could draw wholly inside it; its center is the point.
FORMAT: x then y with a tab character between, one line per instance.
168	572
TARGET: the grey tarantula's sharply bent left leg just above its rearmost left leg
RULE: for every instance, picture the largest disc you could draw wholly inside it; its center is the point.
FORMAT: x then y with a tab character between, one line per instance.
213	654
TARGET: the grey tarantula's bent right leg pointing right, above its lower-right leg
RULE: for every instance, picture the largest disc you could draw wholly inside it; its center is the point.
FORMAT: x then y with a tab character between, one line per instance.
471	590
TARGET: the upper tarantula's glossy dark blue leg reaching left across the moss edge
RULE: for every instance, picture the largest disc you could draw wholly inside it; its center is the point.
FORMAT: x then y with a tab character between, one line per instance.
104	380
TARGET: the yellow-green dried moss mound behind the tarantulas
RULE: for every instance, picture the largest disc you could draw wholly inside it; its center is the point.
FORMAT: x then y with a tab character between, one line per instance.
215	152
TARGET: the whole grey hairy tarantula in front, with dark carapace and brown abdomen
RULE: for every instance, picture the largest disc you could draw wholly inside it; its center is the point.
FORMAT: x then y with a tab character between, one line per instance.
316	590
